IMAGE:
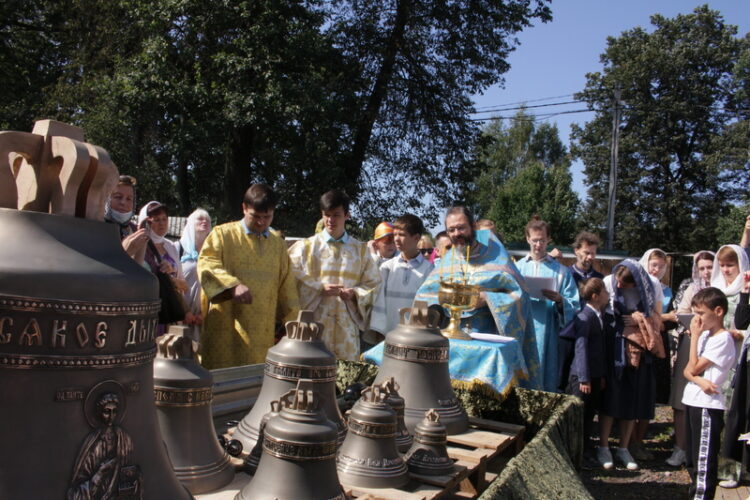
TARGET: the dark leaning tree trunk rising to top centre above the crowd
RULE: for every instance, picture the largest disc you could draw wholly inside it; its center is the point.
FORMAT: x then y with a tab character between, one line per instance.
380	88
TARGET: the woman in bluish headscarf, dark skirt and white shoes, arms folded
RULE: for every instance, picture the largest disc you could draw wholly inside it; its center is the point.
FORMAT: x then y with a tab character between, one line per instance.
630	392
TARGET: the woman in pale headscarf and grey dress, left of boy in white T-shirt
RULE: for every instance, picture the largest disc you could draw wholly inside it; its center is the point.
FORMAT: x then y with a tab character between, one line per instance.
703	263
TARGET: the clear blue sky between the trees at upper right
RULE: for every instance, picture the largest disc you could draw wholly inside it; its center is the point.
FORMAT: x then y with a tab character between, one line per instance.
553	58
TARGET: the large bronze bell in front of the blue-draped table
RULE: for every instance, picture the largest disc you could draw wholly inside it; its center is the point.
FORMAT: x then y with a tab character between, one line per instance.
416	355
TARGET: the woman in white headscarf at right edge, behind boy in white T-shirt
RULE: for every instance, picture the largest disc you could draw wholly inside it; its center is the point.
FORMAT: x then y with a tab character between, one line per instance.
728	276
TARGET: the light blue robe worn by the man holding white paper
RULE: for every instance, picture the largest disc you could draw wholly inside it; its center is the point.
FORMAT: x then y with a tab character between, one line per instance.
549	318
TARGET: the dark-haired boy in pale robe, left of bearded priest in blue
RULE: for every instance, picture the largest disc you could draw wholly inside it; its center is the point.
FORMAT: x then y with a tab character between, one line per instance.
401	276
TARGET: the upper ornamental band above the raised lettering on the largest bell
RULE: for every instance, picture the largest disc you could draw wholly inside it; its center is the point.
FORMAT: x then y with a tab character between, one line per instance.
31	304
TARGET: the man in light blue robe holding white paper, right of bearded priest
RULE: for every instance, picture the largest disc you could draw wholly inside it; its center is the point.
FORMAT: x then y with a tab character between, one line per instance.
554	298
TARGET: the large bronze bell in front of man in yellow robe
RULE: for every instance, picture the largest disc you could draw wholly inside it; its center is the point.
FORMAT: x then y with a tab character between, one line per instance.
301	354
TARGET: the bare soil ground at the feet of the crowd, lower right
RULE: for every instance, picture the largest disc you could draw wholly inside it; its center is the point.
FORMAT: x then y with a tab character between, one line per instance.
654	480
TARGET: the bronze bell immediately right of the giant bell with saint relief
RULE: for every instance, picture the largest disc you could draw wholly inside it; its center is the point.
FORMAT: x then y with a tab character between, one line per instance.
182	390
